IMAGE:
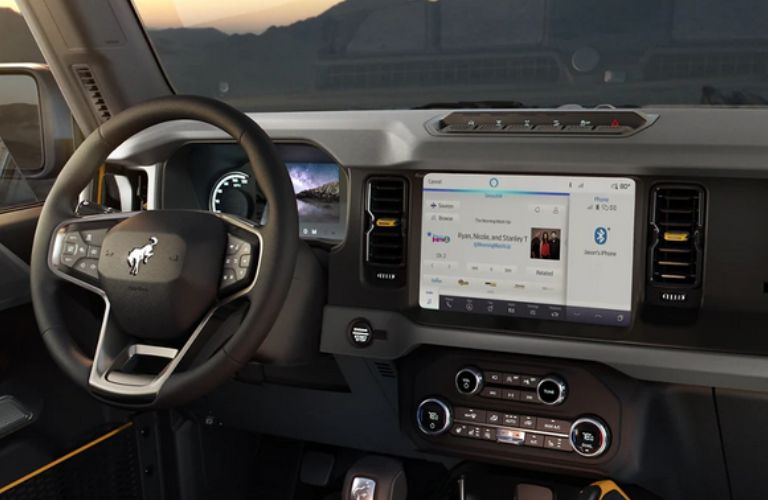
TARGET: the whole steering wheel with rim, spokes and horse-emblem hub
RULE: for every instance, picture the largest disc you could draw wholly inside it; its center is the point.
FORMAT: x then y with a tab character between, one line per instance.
163	274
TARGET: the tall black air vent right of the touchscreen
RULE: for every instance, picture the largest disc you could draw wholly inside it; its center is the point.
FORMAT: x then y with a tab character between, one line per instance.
677	242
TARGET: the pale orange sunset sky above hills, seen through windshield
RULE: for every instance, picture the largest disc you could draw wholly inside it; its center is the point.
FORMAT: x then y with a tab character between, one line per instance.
231	16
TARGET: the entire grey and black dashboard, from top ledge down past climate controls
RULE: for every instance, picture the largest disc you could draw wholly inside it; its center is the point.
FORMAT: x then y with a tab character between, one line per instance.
568	299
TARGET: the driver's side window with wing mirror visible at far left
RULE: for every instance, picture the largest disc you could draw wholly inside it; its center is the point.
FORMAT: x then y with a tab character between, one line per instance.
30	141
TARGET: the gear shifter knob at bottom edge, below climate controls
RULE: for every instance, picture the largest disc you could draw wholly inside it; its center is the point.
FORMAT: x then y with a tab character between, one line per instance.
375	478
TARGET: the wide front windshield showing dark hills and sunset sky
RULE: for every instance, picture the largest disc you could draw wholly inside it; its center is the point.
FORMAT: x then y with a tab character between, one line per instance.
283	55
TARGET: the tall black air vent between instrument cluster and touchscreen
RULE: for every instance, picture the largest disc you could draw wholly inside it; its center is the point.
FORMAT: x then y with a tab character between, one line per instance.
385	242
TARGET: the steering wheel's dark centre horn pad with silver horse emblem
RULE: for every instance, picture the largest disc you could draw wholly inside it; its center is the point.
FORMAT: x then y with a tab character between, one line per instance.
161	269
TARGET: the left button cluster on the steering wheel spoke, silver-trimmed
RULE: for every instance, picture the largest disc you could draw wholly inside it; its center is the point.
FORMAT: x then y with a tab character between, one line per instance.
76	248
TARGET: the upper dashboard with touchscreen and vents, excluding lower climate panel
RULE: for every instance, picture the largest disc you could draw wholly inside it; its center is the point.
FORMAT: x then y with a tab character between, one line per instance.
648	194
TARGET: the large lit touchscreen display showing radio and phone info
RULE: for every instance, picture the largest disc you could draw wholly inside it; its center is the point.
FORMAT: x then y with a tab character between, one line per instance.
537	247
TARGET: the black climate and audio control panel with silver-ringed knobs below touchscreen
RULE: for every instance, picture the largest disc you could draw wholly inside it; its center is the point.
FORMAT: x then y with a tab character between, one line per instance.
512	408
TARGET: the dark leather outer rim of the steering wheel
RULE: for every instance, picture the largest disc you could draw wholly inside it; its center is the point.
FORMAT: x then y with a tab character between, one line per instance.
278	250
